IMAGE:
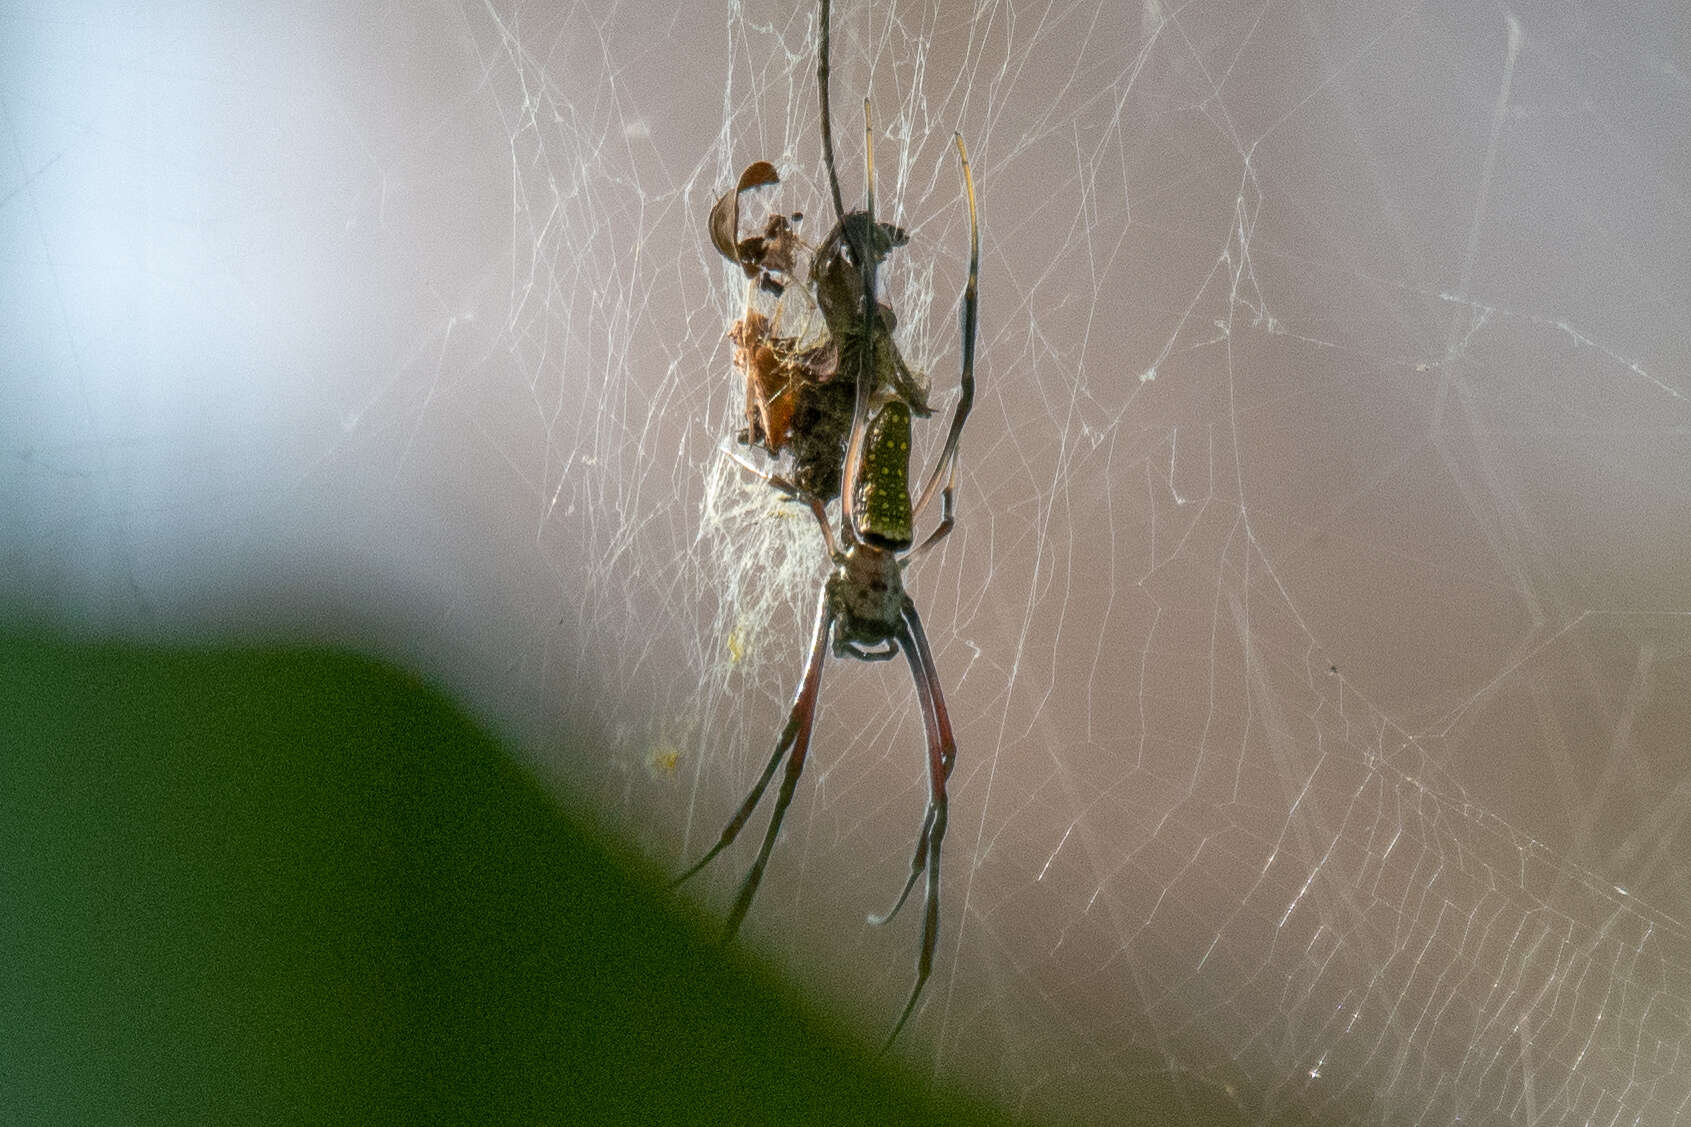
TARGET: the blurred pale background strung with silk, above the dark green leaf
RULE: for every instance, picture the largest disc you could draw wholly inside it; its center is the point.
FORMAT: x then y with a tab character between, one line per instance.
1318	622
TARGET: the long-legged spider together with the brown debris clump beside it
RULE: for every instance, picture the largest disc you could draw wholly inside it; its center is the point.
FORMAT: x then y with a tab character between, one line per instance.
797	397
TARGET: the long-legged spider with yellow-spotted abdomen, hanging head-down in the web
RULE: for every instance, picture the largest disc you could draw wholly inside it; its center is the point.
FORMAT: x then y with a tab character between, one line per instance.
863	608
